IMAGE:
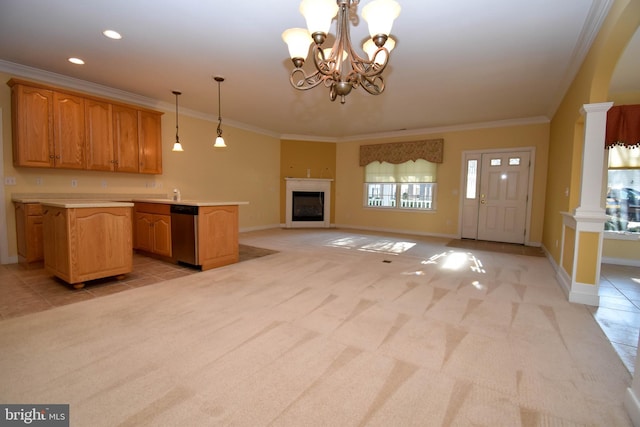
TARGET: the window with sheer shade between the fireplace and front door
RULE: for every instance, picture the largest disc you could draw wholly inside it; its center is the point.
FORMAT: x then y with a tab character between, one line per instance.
409	185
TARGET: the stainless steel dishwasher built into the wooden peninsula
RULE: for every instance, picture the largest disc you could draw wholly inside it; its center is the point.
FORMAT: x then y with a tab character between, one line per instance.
184	233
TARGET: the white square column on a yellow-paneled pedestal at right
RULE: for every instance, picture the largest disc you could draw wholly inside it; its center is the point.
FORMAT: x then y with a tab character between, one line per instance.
582	230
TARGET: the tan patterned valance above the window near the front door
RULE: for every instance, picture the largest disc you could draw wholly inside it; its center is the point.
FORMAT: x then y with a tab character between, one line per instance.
400	152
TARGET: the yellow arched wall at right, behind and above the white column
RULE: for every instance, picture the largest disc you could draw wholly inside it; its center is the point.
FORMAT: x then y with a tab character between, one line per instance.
591	85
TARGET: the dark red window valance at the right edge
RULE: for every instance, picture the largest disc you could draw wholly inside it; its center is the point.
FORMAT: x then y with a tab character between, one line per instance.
623	126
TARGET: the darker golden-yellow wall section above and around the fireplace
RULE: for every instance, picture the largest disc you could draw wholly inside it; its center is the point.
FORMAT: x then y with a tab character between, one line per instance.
299	157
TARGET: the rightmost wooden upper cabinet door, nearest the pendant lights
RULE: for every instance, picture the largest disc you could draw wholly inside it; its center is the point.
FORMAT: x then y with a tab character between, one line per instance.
150	142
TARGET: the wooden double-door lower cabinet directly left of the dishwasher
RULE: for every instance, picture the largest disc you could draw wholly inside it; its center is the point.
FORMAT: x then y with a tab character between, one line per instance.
153	229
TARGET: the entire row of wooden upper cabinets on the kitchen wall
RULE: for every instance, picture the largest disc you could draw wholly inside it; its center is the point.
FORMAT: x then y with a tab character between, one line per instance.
58	128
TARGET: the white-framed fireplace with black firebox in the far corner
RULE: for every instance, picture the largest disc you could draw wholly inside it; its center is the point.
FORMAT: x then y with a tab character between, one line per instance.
308	202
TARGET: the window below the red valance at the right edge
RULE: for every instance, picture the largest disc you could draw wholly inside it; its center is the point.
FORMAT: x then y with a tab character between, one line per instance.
623	190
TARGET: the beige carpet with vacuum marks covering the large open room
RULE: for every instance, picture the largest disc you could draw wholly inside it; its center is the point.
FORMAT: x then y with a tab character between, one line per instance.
336	329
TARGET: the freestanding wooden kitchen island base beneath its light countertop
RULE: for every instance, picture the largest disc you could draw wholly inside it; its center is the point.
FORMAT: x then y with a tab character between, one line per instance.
82	244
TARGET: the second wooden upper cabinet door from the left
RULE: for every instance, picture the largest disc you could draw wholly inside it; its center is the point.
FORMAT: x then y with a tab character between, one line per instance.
68	131
